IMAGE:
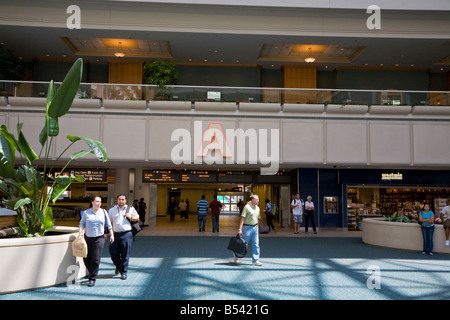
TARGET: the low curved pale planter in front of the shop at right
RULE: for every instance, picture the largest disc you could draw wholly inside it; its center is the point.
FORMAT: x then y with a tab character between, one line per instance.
398	235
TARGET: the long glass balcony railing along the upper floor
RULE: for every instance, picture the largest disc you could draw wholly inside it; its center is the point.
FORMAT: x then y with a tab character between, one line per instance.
109	91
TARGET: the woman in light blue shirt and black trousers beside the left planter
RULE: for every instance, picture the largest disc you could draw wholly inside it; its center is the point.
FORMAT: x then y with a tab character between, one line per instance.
92	226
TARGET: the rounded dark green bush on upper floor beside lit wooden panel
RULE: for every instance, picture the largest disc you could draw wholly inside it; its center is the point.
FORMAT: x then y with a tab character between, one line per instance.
162	73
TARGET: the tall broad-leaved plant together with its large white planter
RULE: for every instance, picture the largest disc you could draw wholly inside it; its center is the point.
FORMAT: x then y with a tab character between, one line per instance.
41	261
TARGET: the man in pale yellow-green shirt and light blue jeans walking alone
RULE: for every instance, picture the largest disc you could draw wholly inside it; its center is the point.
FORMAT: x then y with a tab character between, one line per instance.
248	228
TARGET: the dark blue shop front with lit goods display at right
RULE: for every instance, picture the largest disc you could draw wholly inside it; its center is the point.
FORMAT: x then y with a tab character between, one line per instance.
347	196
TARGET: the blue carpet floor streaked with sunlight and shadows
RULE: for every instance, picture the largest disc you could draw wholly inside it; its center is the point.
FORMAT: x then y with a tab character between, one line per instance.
201	268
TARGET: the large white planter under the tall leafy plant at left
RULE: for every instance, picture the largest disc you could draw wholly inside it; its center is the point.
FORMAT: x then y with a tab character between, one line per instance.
31	263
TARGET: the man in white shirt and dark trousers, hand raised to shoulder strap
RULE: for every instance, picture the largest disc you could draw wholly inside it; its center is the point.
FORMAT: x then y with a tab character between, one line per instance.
121	216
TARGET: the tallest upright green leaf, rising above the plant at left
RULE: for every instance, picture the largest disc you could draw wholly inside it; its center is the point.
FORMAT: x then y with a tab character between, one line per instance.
63	98
